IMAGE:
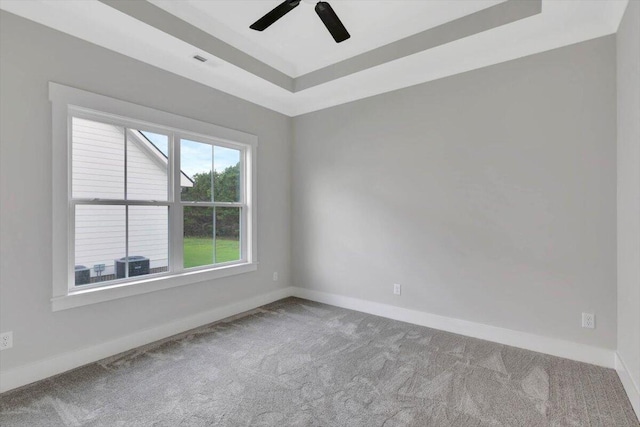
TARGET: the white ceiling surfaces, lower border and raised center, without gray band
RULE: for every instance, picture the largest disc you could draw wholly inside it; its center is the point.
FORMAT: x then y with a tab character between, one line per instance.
561	23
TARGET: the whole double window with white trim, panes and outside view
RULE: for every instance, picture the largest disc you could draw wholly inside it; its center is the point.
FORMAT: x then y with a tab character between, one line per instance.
153	200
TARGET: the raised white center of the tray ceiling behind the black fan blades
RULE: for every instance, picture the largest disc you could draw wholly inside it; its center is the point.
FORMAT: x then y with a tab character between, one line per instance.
299	43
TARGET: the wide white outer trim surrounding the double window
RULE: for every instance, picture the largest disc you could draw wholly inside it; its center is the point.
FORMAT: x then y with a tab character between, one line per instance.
64	98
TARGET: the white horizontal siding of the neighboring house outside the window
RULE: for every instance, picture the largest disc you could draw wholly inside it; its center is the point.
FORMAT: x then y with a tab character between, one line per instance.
98	172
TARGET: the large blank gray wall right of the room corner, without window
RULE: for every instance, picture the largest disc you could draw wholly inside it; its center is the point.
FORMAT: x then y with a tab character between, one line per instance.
490	195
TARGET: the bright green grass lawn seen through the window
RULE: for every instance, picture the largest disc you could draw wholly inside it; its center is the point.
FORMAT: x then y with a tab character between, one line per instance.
198	251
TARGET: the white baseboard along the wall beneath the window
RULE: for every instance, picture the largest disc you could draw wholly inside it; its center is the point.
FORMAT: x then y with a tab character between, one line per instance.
36	371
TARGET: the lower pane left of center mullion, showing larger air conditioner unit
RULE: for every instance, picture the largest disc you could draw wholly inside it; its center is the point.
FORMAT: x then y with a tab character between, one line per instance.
148	240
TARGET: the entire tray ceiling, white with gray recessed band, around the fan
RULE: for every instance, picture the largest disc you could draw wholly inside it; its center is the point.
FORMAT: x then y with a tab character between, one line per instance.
295	67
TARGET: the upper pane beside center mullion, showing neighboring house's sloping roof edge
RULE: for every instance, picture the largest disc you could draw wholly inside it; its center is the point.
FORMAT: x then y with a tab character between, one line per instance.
147	166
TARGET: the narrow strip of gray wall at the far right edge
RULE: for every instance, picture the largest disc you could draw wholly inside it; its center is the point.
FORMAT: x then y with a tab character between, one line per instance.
628	58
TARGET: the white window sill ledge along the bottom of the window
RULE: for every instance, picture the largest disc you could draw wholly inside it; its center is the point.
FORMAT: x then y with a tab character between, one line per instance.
107	293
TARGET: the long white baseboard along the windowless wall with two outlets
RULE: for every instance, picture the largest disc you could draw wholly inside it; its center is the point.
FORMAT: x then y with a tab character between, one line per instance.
553	346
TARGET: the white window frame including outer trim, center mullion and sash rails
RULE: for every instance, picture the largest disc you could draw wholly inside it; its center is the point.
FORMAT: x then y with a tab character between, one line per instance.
69	102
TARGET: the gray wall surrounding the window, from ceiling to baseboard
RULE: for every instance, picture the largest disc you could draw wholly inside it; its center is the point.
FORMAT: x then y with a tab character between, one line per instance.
32	55
